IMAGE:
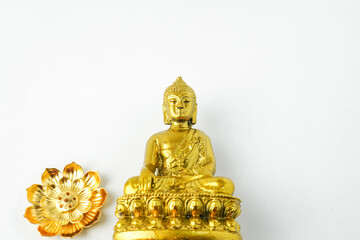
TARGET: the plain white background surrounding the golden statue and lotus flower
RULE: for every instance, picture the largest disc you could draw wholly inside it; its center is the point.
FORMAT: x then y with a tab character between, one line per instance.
278	88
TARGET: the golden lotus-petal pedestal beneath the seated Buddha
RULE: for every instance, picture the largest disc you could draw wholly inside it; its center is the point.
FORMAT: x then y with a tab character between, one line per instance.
190	216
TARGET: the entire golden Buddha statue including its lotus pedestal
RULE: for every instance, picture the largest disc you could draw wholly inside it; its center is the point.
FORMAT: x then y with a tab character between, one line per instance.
176	195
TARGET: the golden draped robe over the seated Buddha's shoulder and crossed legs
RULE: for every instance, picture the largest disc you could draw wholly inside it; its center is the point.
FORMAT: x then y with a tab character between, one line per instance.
189	168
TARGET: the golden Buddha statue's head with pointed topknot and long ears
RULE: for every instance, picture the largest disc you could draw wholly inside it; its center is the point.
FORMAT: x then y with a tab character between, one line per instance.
179	103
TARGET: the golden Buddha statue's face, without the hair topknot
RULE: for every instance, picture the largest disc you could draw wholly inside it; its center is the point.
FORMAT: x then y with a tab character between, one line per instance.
180	107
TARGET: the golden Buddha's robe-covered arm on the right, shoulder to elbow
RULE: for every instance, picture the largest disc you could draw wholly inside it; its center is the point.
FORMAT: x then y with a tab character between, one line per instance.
207	166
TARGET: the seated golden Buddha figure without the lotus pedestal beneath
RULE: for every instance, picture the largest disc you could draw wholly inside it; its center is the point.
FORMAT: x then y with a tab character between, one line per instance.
180	158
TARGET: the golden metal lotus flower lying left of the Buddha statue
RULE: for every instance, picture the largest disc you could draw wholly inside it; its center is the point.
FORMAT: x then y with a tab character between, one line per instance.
66	202
